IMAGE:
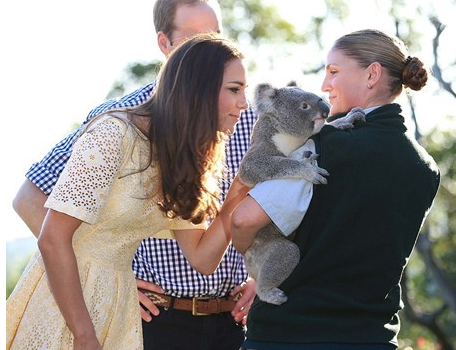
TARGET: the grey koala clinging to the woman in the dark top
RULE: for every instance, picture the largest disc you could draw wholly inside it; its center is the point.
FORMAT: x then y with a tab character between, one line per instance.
287	117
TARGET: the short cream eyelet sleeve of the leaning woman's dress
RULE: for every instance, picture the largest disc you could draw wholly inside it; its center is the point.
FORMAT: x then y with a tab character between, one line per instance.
84	185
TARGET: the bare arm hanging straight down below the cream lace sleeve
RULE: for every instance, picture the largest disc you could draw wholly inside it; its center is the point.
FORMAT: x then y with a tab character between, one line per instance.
55	244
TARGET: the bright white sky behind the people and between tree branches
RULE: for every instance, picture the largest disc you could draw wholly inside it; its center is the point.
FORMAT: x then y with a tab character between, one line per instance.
60	59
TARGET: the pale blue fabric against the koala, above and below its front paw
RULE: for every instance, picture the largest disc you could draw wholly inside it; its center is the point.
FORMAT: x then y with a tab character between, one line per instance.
286	200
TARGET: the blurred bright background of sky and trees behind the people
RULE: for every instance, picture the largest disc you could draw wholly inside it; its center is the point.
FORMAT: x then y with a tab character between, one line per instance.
60	59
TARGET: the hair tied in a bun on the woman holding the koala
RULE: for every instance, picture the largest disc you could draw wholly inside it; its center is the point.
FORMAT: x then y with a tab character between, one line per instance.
369	45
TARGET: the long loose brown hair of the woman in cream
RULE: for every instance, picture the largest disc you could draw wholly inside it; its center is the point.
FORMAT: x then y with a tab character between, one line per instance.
186	145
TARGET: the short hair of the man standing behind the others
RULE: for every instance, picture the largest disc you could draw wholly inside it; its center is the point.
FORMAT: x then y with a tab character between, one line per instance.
165	13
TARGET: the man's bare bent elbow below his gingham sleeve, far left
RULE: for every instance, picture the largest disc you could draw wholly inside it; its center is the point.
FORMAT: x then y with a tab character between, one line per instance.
29	205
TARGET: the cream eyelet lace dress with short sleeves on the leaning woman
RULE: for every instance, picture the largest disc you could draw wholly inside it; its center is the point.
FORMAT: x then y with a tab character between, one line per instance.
98	187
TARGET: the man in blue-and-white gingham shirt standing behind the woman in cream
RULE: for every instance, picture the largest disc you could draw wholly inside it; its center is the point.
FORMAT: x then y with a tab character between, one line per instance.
159	262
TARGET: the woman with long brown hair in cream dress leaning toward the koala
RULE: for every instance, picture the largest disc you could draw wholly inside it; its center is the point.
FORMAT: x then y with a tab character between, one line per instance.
152	168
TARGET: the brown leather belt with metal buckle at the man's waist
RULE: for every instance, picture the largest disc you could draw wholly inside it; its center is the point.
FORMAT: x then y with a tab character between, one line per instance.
197	306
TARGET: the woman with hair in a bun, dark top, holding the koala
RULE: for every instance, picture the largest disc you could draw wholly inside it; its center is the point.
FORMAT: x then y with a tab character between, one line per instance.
360	229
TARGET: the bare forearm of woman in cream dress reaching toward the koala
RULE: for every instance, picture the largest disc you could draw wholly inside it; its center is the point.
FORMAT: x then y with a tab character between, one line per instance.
205	249
